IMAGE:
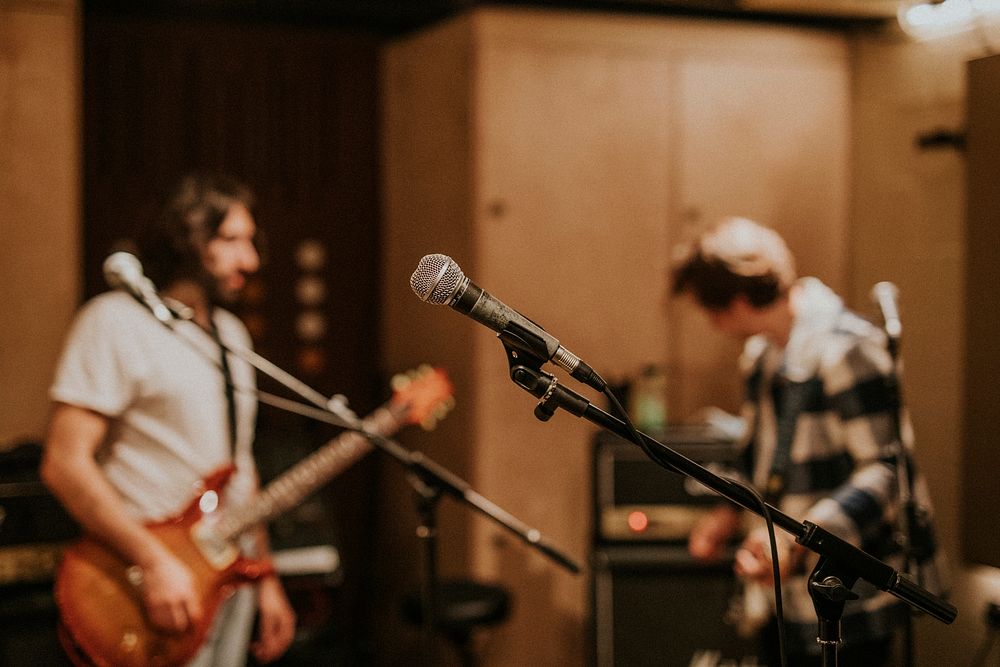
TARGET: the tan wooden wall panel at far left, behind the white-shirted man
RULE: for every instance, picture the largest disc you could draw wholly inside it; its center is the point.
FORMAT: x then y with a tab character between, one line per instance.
39	204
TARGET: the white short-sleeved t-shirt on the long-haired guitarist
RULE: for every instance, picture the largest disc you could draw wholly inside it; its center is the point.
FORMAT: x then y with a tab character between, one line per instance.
165	394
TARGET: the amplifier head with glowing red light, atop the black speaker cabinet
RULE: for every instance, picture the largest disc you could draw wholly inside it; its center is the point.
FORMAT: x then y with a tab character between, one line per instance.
638	500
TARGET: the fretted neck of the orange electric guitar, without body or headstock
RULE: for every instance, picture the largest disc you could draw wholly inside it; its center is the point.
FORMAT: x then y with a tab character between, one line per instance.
312	472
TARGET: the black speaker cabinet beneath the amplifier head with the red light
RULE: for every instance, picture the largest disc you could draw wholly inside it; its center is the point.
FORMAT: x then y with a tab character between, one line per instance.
653	605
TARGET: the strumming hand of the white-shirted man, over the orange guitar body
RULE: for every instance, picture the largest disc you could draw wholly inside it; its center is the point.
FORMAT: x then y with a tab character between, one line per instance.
169	594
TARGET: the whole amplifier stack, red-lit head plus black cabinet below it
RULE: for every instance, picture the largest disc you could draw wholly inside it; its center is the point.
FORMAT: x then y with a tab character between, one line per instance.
651	603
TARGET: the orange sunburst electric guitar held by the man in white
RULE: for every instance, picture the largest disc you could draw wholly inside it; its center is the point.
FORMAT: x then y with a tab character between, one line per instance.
103	620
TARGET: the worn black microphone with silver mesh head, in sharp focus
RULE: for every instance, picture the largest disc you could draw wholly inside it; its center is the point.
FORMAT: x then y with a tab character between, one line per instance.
439	280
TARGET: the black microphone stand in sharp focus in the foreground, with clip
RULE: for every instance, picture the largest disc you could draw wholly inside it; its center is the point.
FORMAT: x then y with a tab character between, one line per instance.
840	564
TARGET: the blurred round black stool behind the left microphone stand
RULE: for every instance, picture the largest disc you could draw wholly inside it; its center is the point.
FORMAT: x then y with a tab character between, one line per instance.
462	606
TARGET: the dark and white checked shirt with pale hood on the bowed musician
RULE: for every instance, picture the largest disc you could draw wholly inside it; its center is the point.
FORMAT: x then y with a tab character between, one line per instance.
827	433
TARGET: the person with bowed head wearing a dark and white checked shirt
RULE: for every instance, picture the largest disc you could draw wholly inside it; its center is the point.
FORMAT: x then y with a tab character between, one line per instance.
826	433
